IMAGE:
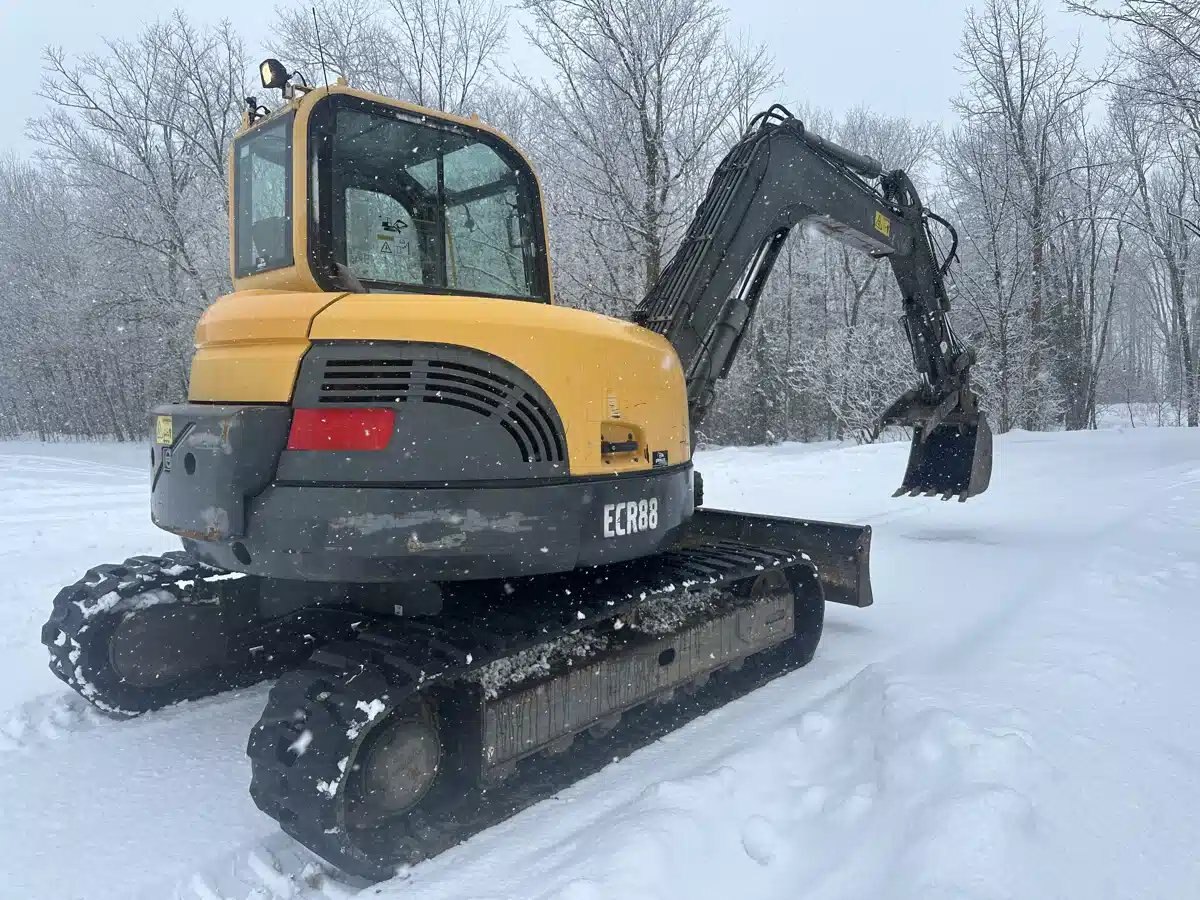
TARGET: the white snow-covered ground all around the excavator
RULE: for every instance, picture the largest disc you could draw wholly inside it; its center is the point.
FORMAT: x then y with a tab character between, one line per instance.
1017	717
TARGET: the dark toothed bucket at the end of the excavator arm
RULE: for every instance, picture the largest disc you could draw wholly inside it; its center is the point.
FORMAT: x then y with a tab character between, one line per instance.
953	459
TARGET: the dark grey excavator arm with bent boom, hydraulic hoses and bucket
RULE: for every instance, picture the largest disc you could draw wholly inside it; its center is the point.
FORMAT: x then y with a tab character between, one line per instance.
778	177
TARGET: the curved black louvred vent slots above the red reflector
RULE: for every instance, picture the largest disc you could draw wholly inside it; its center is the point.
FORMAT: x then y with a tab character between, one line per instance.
386	382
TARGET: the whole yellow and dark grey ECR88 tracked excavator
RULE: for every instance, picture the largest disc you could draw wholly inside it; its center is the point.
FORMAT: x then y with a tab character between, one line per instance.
458	521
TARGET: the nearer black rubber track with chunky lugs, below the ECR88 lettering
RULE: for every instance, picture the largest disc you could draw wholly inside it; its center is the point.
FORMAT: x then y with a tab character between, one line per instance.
316	715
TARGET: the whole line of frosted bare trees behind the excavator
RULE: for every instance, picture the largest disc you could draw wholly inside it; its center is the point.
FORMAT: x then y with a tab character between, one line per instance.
1076	194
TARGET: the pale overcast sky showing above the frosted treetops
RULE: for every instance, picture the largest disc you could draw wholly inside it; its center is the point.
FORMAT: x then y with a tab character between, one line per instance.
893	56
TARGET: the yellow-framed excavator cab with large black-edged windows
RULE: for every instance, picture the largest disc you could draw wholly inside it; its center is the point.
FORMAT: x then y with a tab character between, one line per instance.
399	200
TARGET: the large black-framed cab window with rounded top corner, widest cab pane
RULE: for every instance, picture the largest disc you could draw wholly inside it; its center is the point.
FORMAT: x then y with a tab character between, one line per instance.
423	206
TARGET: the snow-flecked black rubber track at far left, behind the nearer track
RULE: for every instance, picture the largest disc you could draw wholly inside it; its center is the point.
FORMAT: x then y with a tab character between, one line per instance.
103	597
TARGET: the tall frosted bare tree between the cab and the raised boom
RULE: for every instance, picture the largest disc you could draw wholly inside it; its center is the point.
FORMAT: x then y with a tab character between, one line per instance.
641	91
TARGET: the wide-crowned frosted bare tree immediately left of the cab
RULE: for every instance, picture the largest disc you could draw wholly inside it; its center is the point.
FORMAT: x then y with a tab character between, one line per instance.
151	152
